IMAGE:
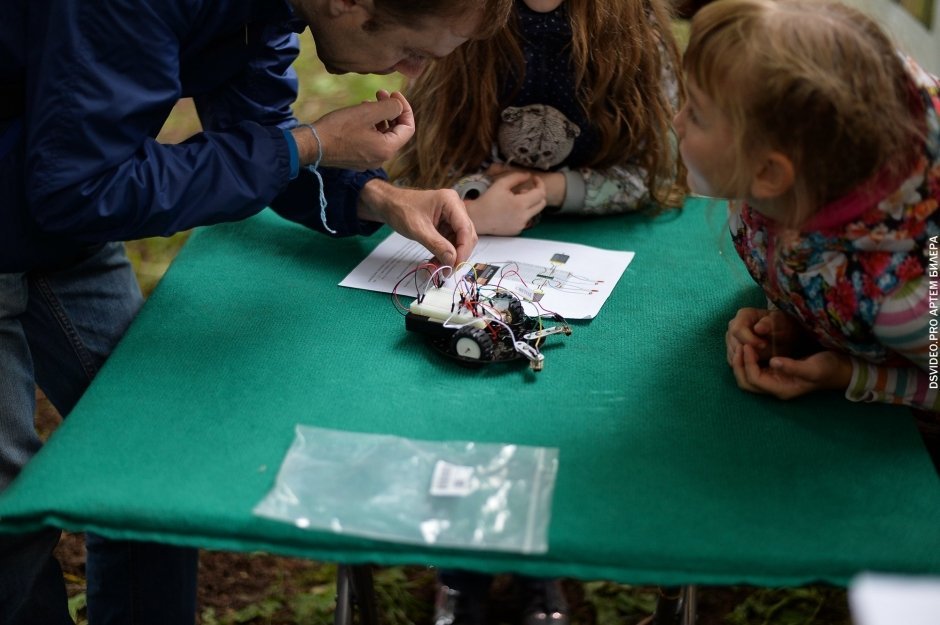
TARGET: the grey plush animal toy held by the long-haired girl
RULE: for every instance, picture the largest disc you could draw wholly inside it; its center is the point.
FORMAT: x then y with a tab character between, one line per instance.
537	136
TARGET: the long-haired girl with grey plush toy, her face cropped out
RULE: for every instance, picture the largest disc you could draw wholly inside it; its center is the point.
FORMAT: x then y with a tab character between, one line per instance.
568	108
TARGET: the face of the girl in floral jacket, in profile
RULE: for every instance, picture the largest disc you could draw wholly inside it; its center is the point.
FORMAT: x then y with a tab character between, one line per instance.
706	143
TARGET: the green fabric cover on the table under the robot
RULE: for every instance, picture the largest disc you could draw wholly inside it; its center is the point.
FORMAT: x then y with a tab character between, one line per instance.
668	473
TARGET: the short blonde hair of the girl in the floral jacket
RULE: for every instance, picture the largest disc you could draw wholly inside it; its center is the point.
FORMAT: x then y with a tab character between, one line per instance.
816	80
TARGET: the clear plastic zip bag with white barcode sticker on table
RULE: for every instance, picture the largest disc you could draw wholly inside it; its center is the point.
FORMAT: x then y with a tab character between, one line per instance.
451	494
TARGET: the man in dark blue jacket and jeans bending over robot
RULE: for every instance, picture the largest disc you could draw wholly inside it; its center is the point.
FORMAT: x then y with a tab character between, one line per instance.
84	88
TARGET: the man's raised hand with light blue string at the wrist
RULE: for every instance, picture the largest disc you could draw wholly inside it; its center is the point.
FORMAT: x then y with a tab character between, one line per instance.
359	137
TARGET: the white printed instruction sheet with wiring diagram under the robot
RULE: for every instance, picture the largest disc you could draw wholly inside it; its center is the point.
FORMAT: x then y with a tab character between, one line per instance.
567	278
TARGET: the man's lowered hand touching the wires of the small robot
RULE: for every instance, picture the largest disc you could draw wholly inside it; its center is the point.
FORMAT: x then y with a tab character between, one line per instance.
437	219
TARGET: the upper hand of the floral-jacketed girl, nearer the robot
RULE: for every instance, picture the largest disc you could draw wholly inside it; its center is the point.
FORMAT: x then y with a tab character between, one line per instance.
769	332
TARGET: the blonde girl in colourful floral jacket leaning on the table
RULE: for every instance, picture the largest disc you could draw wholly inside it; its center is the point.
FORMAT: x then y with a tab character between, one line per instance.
828	142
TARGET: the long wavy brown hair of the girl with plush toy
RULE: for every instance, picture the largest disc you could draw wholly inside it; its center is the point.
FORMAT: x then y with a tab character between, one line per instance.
616	52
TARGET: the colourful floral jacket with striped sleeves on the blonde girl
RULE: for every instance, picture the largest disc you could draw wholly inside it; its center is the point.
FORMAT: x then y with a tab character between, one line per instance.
870	251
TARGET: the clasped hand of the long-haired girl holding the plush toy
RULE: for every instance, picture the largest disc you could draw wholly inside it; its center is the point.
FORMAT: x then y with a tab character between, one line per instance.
509	205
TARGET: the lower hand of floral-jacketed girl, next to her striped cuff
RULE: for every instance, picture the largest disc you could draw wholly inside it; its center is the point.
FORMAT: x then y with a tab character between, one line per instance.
786	378
